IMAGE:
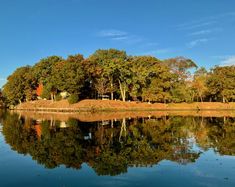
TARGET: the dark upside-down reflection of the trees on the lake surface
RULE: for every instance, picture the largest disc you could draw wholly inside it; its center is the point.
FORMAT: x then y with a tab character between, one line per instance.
110	147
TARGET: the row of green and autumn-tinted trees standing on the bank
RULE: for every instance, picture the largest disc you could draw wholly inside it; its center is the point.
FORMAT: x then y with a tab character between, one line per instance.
114	74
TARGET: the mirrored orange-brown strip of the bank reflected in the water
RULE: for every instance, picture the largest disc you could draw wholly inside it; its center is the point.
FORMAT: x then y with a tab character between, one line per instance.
101	116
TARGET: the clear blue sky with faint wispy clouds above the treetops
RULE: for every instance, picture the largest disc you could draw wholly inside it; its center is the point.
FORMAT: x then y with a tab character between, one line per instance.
203	30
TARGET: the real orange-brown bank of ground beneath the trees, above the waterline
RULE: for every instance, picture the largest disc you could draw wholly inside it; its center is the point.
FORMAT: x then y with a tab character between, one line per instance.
108	105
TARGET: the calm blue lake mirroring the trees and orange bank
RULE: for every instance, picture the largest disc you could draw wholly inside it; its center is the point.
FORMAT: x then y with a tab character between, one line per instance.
117	149
